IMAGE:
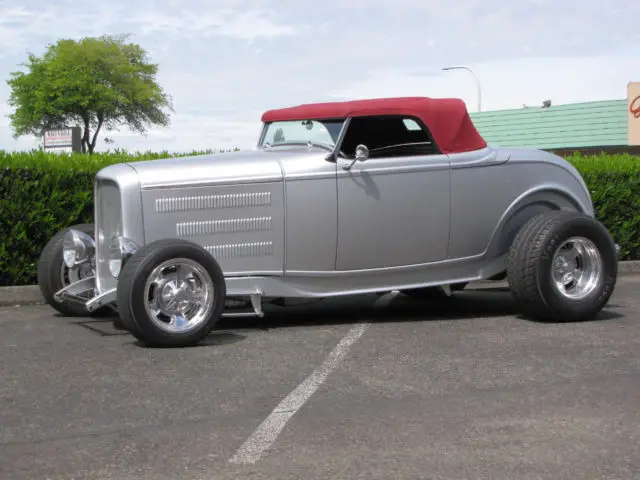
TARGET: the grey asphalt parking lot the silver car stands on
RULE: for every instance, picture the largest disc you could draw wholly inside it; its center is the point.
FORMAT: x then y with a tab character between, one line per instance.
358	388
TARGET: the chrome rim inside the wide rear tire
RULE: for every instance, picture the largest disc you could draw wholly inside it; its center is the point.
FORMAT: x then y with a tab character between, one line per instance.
577	268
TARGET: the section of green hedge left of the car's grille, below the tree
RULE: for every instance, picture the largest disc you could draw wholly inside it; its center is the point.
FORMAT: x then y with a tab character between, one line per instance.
41	193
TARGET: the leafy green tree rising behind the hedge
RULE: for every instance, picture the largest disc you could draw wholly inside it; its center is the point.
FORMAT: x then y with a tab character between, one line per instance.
96	83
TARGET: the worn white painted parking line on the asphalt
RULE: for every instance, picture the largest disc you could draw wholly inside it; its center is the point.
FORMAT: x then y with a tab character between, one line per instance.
270	428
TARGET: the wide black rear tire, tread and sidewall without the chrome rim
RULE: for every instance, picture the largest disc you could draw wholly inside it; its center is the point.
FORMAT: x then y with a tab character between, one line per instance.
530	273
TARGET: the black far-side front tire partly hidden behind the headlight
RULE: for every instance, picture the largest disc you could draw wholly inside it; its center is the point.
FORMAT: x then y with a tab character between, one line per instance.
50	265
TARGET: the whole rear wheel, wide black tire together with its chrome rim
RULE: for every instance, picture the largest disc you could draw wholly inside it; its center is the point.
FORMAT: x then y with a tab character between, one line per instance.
562	267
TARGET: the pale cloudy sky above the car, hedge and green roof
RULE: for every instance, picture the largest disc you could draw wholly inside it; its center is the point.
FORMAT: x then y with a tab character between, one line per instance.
227	61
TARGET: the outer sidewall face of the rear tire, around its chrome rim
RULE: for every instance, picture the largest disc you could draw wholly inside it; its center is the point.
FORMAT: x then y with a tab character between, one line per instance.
584	308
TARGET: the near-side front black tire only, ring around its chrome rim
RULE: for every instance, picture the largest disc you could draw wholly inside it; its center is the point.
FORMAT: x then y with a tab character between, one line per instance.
131	299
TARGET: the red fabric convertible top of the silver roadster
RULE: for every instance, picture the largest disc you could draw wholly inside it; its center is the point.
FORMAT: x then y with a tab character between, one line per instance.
446	118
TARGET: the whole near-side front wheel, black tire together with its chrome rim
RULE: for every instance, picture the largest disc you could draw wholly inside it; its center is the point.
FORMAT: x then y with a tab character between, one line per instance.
171	293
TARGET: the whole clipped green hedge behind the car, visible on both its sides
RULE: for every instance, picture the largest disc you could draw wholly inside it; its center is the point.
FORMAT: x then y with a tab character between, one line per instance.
42	193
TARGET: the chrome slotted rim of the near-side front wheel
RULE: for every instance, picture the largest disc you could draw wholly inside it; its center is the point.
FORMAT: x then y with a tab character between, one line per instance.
180	295
